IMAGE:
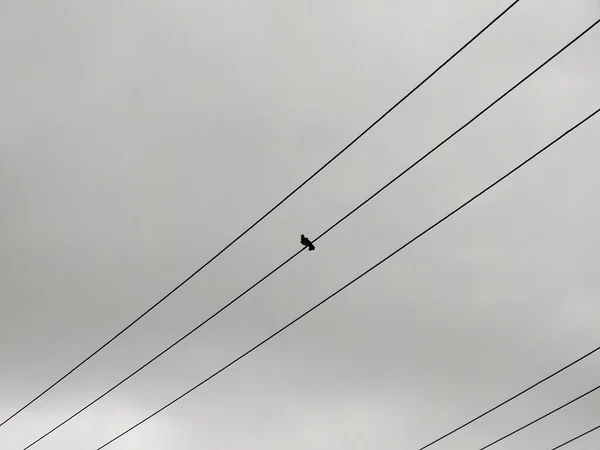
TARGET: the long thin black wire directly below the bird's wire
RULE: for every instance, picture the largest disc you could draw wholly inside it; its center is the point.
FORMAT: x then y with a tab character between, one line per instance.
264	341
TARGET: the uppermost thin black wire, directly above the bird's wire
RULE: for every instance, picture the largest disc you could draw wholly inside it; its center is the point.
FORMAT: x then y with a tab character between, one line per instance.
264	216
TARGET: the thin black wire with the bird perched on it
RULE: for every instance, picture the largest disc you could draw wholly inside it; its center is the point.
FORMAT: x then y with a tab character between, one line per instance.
196	328
